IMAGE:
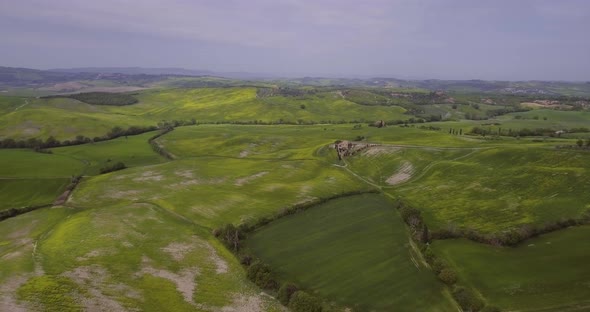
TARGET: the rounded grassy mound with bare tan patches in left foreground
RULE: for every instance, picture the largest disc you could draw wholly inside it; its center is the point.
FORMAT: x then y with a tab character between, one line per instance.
137	254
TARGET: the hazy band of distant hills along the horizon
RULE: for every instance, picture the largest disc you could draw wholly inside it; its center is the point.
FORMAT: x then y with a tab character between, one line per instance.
138	76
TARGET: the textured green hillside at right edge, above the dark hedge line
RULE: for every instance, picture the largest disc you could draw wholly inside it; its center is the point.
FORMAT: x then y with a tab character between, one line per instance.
496	189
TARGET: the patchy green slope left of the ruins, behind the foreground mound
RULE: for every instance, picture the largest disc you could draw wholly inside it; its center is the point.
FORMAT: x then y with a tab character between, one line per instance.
214	191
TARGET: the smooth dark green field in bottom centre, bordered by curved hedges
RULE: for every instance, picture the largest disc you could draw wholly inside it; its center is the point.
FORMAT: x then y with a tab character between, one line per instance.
353	251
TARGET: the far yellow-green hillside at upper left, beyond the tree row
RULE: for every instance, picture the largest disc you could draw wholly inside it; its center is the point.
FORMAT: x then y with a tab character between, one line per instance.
66	118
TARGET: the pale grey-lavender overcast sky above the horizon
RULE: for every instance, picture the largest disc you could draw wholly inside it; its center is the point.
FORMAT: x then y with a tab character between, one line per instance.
415	39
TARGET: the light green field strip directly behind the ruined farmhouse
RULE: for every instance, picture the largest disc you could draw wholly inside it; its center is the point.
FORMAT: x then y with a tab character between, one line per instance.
295	142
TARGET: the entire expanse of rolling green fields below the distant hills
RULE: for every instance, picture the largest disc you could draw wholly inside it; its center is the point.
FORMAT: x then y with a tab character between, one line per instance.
141	238
